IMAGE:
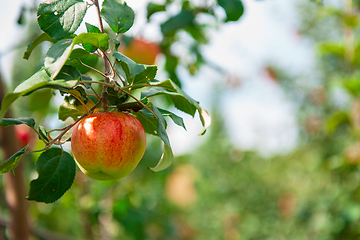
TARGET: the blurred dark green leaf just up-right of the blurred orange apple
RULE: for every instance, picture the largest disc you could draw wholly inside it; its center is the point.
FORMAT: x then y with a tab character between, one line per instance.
184	19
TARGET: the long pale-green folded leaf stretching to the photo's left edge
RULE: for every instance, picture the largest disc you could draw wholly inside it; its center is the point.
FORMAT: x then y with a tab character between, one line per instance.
37	81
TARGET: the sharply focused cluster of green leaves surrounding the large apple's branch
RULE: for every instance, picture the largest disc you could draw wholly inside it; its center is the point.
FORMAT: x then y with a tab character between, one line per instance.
67	68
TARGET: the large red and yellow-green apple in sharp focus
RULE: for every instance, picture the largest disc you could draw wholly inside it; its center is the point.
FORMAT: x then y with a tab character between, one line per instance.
108	145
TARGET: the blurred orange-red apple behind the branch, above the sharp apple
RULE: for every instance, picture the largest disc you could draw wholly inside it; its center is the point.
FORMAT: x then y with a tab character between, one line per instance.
141	51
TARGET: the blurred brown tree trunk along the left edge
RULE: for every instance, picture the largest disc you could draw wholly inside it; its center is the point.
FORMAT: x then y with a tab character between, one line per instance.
14	185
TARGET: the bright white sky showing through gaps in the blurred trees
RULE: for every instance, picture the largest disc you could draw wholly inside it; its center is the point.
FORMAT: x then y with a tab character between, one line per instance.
257	114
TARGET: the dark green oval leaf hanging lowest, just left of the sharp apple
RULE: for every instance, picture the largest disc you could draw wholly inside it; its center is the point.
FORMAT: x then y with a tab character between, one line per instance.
56	169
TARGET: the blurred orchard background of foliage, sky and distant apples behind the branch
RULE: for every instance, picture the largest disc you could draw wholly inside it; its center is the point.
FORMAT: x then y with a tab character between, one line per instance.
280	160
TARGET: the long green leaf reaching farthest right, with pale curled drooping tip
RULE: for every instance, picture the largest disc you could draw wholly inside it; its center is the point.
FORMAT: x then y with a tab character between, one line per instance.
181	100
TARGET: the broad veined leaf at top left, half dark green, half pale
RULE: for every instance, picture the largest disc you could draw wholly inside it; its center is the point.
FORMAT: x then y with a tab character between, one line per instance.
61	18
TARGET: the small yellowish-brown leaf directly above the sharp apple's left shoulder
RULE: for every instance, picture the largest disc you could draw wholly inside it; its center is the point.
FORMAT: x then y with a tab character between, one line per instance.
67	110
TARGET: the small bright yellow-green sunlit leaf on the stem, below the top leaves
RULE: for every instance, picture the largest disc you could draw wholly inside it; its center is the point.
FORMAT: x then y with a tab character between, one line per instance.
97	40
